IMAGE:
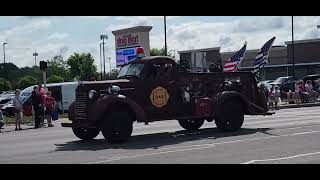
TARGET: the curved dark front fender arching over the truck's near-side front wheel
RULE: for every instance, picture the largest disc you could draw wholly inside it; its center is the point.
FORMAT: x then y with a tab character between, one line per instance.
101	107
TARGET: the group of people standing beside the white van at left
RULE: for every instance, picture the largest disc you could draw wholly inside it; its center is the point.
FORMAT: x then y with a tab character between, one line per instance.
43	105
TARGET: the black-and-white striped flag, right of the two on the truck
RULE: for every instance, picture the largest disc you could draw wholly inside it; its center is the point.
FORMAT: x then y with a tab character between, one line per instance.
263	54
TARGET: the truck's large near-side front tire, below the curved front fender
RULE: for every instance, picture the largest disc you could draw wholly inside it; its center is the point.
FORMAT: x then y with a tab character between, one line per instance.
117	127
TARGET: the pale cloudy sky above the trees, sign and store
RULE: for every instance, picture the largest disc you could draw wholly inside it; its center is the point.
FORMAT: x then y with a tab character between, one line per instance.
50	35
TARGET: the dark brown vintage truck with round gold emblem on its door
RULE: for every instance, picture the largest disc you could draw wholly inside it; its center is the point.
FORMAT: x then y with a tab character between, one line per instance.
152	89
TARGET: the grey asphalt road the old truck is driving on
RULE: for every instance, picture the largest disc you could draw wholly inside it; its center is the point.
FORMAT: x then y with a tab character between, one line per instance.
289	136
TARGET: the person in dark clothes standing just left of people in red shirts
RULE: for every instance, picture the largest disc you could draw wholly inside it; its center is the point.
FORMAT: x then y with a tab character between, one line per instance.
36	103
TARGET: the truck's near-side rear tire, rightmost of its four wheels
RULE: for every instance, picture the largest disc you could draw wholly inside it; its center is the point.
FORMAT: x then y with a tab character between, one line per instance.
231	116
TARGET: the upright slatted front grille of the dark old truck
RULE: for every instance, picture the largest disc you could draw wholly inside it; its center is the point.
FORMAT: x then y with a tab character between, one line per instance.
81	106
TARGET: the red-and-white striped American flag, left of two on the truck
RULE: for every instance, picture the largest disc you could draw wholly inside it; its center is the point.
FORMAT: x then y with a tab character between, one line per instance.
235	60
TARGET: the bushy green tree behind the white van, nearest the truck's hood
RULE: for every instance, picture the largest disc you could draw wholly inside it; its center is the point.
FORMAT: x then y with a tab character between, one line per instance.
82	66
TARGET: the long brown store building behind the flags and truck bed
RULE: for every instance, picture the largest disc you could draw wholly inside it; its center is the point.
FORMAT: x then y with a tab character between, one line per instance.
306	58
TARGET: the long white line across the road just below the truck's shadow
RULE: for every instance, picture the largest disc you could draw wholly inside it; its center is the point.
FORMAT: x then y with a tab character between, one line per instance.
203	146
